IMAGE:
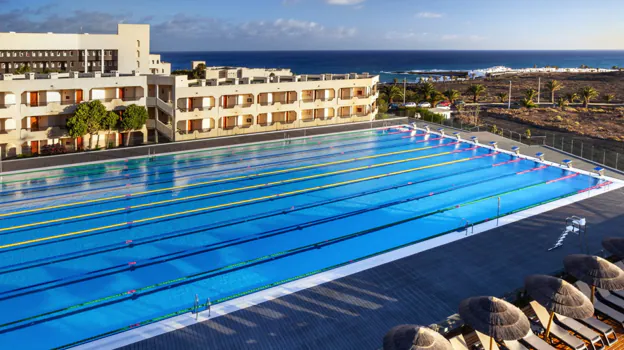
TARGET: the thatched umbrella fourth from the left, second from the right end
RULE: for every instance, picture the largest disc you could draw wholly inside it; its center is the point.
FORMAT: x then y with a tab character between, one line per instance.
595	271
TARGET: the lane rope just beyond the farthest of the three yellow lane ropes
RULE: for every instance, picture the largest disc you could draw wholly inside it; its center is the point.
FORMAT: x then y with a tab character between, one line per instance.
203	174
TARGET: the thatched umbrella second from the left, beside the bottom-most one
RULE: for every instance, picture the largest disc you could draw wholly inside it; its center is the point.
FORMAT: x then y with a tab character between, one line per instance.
494	317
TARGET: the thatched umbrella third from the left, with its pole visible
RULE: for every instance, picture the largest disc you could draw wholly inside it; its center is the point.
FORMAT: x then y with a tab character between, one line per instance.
558	296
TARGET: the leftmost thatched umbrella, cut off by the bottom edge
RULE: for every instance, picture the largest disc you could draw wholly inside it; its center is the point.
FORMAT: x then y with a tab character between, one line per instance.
412	337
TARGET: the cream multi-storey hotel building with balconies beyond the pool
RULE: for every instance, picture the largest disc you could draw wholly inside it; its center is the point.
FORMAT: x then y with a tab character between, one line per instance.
118	69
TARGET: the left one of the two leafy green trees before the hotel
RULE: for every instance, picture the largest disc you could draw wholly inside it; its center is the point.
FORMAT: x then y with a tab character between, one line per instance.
86	120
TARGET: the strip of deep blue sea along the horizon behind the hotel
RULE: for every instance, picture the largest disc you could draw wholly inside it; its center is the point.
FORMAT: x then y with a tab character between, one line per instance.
386	62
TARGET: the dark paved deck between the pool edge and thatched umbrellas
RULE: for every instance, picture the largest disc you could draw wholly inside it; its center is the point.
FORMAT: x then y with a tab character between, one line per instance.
354	312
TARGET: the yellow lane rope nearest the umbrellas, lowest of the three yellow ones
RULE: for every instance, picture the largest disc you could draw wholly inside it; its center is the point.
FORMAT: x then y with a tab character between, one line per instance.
224	205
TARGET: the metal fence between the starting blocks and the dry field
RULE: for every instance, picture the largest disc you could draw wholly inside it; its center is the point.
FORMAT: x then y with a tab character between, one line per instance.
568	143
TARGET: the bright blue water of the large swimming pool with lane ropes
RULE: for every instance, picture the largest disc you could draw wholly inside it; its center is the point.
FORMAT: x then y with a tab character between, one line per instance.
96	249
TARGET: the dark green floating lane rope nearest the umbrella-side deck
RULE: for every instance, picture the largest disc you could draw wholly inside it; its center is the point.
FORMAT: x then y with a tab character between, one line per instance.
192	278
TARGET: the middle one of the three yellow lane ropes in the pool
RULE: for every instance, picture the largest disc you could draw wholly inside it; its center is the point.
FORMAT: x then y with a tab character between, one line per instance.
228	191
